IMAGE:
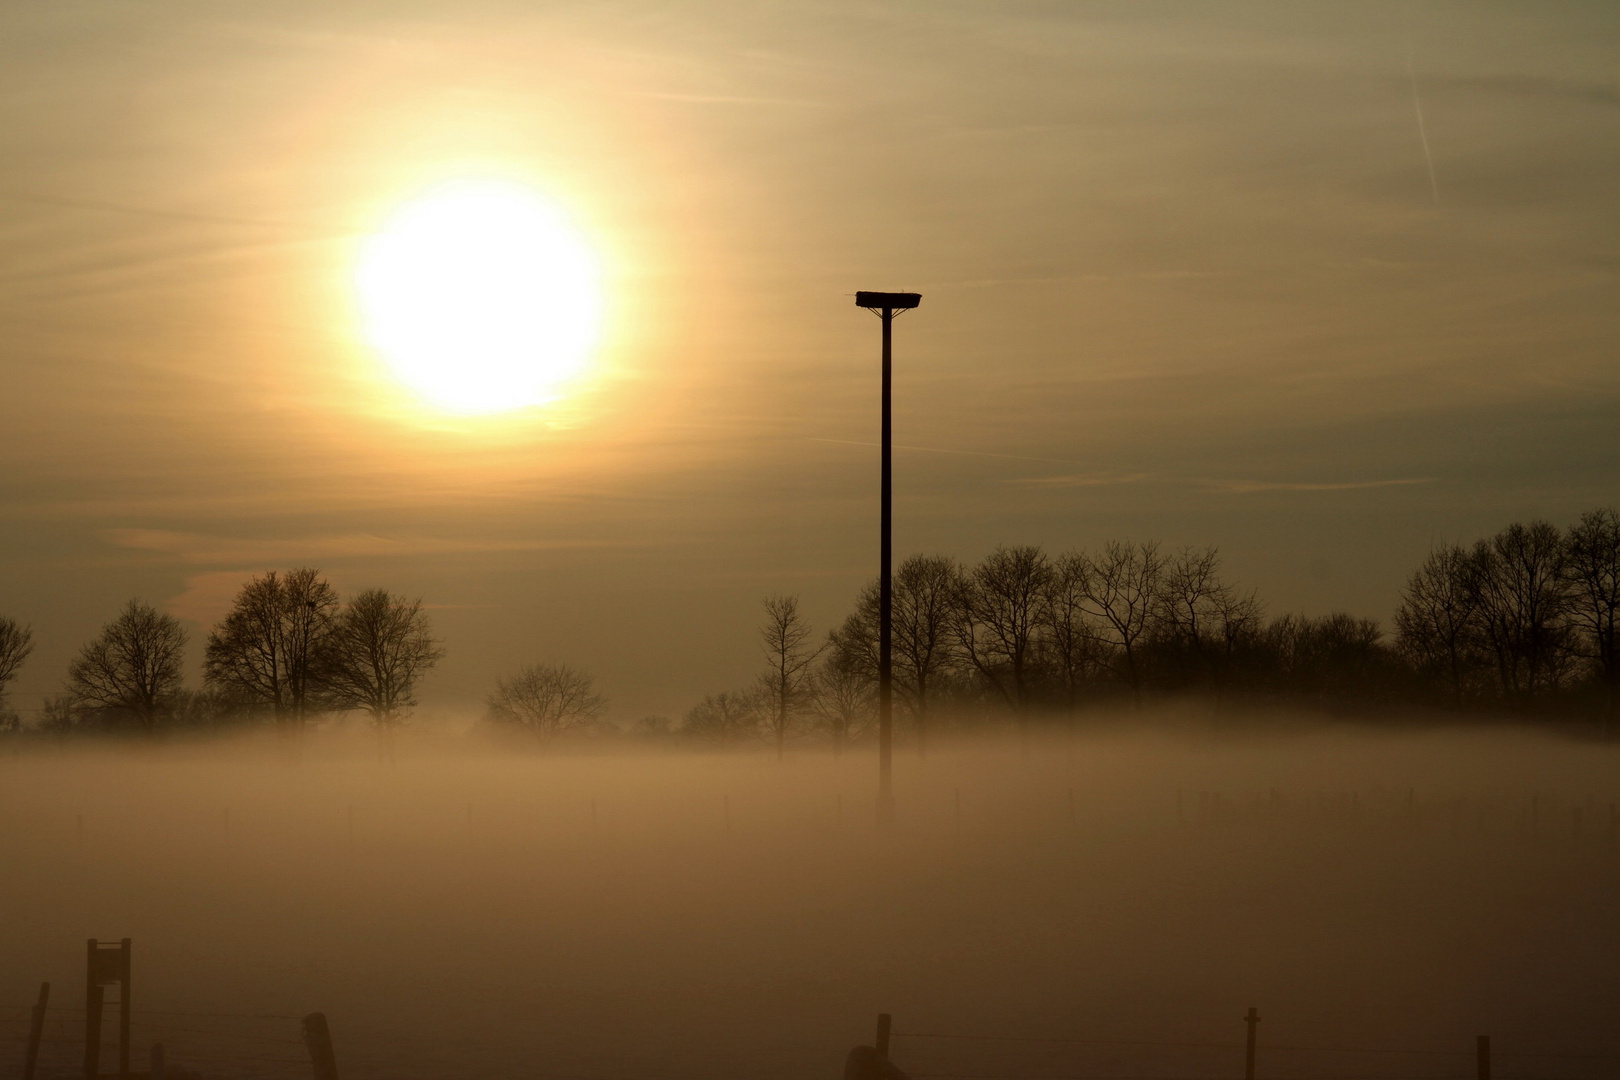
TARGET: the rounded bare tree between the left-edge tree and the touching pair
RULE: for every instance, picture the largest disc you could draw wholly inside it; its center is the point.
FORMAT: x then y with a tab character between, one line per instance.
132	670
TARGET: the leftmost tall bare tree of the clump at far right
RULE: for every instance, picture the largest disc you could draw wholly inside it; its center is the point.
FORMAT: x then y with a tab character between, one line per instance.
1439	626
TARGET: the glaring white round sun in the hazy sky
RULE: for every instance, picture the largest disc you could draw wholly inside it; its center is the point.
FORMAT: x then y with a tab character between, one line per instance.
482	297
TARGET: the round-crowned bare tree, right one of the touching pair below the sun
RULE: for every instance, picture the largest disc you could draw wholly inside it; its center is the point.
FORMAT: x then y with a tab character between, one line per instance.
375	653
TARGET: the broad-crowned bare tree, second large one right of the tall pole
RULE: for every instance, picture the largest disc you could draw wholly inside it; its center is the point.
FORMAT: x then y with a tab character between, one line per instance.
999	618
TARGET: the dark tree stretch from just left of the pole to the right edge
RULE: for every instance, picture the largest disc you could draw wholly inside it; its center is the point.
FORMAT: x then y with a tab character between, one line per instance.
1522	623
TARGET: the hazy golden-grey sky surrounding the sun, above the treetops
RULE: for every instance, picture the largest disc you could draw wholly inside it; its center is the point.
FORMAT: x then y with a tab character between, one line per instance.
1316	284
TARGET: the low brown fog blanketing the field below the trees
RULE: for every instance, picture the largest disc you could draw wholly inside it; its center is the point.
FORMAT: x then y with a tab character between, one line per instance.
459	914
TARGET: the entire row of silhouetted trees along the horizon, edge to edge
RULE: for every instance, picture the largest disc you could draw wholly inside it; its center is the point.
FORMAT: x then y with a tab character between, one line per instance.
1524	623
